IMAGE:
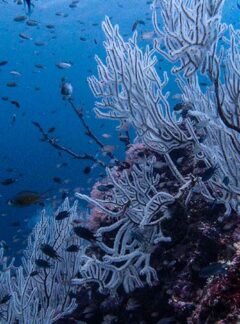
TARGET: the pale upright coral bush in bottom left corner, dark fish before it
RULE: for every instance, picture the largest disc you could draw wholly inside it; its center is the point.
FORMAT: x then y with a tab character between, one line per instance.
40	290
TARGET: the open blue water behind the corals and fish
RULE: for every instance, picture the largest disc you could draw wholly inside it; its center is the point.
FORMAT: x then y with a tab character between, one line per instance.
35	163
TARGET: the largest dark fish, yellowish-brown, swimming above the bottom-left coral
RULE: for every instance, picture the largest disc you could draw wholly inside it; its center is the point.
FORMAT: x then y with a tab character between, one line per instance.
25	198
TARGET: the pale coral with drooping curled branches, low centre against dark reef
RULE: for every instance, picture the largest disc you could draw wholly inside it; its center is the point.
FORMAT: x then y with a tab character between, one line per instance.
136	227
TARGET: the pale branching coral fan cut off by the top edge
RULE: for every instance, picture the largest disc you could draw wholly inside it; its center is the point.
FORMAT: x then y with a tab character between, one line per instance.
191	31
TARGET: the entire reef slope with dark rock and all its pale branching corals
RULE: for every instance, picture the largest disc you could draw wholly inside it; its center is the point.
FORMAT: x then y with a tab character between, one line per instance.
161	244
